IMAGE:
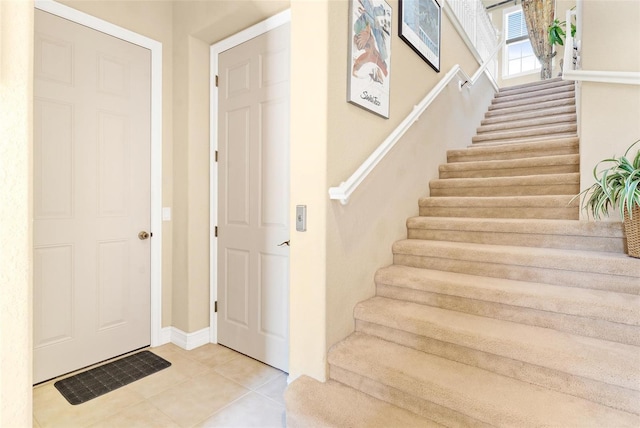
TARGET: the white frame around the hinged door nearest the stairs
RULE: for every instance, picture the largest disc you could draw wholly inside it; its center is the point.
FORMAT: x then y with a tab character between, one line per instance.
215	49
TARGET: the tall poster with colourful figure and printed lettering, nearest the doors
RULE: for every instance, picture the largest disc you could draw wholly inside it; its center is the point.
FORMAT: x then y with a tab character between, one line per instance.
369	55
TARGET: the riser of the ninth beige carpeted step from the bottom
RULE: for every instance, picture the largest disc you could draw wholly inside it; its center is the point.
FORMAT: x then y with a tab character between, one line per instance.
477	171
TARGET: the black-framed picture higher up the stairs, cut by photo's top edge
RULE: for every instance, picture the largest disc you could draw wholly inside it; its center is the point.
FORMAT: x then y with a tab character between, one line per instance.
420	28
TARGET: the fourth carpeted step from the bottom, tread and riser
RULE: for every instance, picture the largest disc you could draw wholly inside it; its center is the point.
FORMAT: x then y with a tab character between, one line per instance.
493	301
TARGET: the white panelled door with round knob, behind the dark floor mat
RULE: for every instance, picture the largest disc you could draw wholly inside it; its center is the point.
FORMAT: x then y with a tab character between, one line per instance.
91	196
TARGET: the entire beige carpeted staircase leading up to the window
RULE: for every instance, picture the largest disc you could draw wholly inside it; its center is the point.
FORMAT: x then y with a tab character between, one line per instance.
501	308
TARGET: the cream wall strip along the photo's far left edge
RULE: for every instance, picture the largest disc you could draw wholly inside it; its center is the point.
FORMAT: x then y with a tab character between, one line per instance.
16	94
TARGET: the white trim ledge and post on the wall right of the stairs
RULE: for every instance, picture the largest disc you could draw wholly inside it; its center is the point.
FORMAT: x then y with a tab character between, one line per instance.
572	63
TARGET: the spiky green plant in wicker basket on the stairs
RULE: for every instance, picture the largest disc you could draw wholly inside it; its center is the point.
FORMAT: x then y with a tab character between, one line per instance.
618	186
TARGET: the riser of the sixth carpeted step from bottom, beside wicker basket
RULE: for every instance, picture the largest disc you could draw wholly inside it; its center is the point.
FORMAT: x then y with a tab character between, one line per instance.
583	243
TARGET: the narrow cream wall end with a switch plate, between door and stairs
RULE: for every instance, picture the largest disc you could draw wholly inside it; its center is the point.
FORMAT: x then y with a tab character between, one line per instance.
308	155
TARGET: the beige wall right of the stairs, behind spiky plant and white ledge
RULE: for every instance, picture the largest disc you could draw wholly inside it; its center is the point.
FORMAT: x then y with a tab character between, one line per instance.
610	113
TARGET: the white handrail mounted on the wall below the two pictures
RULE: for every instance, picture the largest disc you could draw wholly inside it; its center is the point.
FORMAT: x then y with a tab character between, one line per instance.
346	188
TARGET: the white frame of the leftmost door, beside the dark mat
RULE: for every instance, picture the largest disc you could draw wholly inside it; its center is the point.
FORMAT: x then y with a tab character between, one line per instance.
156	141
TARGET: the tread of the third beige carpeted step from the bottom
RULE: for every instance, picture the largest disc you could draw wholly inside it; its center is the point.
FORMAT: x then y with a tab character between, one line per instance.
607	362
